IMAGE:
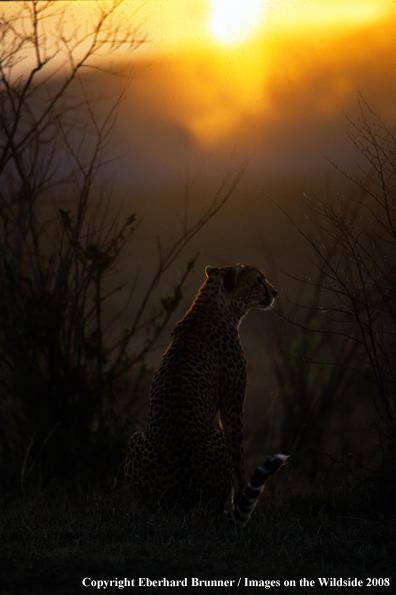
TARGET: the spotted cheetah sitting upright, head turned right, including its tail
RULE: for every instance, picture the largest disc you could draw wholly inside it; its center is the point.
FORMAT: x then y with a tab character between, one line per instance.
181	460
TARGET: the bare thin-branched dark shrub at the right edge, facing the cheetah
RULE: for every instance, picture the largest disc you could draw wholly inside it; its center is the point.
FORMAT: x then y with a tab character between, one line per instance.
353	241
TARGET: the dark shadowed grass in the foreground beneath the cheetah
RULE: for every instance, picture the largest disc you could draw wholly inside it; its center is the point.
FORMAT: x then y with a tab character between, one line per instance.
50	544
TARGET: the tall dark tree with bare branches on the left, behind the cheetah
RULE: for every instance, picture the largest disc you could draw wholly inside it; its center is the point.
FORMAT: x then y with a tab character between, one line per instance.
62	393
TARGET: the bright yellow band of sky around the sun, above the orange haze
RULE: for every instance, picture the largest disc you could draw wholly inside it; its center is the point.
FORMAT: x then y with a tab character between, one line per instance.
175	23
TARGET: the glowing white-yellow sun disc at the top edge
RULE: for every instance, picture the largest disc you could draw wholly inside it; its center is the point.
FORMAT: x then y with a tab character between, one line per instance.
234	21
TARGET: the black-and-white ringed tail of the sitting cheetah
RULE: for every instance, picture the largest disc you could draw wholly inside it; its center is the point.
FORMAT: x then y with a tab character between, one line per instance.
255	486
